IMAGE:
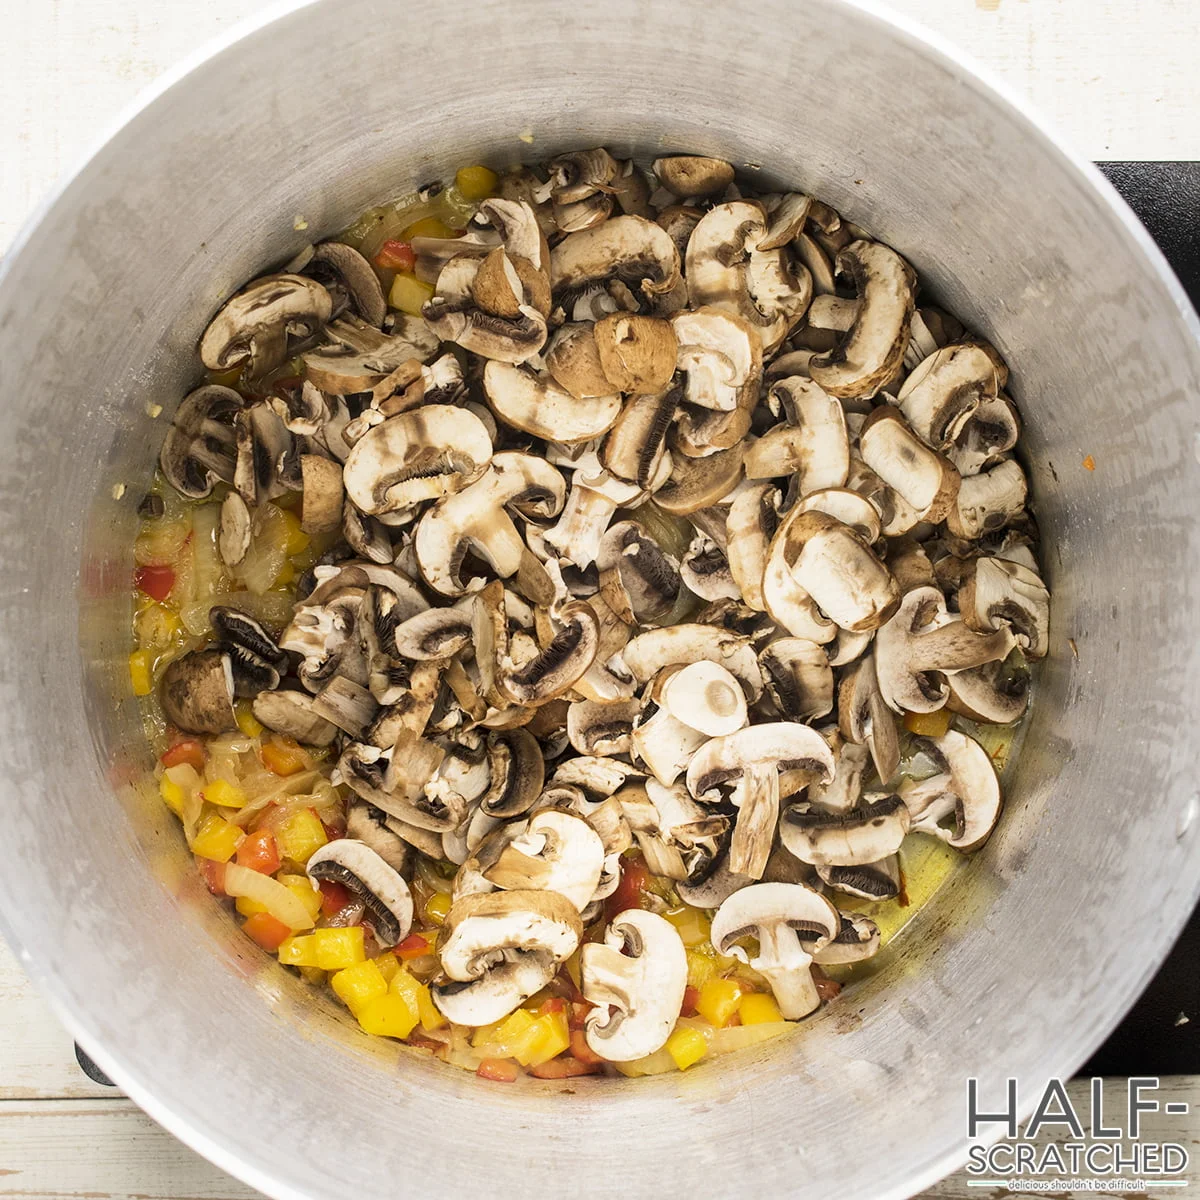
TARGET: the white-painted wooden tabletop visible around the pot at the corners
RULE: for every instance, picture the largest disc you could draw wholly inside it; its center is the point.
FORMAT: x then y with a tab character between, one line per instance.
1118	77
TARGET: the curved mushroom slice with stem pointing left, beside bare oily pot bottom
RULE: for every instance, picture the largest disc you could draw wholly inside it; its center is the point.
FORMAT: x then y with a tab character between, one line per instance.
969	790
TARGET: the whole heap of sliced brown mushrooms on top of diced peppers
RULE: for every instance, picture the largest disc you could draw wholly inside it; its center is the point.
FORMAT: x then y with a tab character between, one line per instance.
519	667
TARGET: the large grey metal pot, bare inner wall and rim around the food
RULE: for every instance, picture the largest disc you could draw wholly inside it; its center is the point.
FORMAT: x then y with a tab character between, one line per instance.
1018	968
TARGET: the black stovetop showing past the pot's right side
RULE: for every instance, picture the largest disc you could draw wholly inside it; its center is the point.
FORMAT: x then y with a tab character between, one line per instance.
1161	1036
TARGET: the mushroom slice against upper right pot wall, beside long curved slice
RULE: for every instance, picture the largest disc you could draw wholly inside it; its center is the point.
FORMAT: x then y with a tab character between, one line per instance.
945	391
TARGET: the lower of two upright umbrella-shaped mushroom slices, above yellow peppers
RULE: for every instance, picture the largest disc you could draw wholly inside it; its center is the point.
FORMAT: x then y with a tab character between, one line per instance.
777	915
